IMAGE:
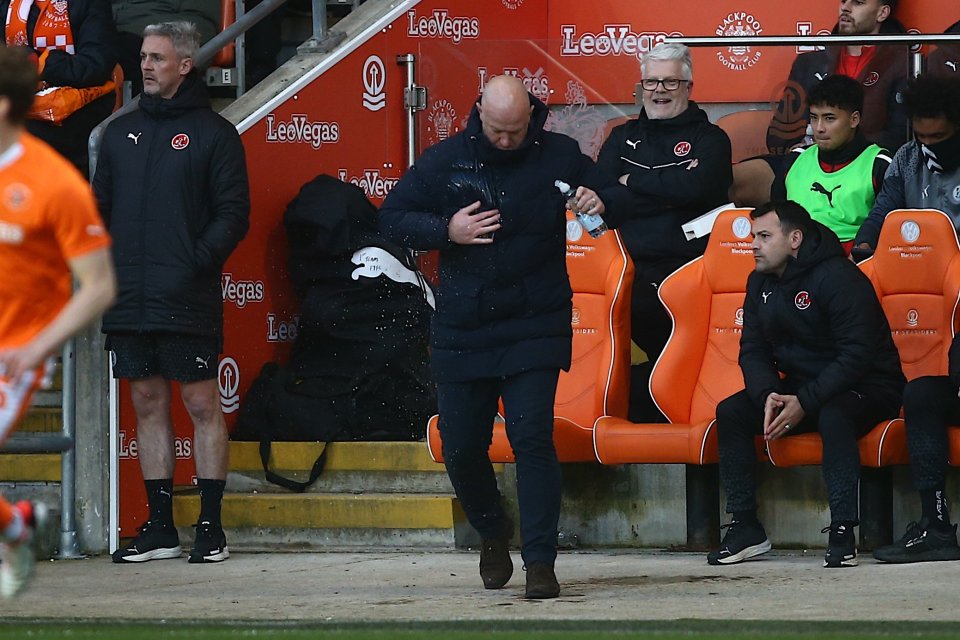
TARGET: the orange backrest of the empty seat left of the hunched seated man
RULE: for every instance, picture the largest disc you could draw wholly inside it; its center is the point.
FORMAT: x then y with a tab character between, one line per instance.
699	366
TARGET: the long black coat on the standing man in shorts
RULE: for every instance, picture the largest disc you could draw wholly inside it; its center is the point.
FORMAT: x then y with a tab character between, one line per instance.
172	187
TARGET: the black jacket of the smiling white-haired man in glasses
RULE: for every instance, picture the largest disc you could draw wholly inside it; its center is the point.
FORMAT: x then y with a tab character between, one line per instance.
665	192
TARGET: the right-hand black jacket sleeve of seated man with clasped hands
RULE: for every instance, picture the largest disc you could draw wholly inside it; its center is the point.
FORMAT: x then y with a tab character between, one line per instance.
855	319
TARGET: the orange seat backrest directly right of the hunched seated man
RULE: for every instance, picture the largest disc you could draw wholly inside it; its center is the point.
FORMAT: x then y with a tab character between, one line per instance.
916	274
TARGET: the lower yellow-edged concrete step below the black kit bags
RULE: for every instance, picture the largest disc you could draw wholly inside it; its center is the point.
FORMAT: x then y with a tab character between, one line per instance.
289	521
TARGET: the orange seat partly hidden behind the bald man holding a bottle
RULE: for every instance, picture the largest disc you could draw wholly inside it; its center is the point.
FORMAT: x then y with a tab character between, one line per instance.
597	384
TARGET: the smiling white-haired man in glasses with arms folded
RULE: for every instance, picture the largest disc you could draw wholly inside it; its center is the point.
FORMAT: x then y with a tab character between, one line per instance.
676	165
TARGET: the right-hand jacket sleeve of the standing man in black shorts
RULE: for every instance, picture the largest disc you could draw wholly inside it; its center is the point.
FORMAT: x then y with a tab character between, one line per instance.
229	196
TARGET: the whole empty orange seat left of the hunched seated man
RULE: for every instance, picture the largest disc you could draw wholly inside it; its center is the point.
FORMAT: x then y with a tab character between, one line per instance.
697	369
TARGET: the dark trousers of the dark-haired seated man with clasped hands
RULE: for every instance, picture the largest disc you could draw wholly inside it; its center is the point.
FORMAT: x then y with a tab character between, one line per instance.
840	422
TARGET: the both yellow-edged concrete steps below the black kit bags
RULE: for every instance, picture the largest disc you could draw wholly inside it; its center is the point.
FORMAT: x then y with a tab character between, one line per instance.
371	494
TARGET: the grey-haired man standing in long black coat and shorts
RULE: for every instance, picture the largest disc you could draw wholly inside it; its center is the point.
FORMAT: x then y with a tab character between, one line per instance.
172	186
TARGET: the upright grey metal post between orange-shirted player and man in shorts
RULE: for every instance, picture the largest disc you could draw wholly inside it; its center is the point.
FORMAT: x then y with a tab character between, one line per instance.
68	459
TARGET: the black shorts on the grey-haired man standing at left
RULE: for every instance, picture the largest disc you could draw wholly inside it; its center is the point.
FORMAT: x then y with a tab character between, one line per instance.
180	357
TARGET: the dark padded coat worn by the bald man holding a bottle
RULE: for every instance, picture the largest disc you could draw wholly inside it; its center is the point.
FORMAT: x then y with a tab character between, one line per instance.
505	307
